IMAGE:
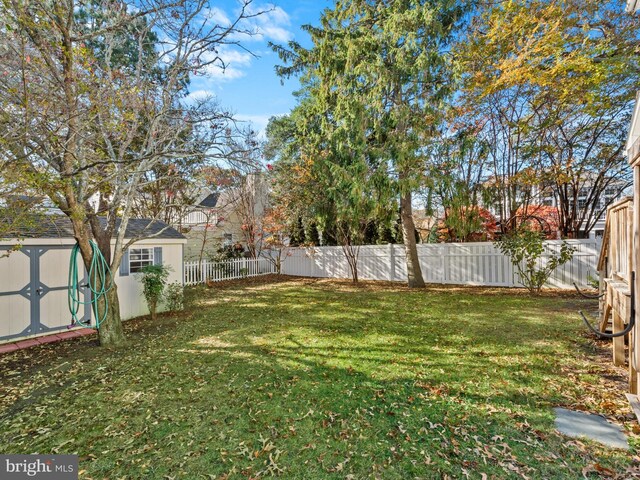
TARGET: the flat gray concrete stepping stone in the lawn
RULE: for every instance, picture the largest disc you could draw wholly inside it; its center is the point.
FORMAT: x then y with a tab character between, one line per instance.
593	427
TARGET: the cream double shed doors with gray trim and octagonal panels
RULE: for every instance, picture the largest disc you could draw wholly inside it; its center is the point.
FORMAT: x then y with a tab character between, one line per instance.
33	292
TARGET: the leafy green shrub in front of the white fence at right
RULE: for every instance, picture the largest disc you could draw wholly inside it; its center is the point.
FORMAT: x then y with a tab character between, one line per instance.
525	248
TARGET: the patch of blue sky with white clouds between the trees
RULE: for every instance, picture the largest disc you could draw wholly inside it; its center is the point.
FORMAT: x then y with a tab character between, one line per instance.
249	87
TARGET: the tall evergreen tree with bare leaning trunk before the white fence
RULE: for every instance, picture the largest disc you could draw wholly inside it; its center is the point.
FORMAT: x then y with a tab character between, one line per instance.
378	73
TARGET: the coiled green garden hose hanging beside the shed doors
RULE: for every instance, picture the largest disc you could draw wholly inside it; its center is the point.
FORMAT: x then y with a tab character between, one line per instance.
99	271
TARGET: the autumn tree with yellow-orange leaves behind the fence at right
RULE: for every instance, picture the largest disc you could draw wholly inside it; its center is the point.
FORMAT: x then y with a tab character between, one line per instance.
549	85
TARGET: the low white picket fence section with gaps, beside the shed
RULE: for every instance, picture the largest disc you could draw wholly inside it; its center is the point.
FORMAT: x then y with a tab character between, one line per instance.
201	272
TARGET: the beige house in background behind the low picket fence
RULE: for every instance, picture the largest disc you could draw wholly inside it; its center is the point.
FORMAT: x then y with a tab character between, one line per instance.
221	219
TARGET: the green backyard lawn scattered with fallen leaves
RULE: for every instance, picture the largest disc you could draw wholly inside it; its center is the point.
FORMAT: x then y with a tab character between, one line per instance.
317	379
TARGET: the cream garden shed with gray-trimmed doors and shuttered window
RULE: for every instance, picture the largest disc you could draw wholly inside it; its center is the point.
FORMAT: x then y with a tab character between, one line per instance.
34	279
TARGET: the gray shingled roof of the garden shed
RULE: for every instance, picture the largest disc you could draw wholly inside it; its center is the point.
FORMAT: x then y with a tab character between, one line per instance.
59	226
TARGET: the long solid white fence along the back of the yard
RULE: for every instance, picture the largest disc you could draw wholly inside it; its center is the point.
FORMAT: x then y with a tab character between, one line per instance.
479	263
